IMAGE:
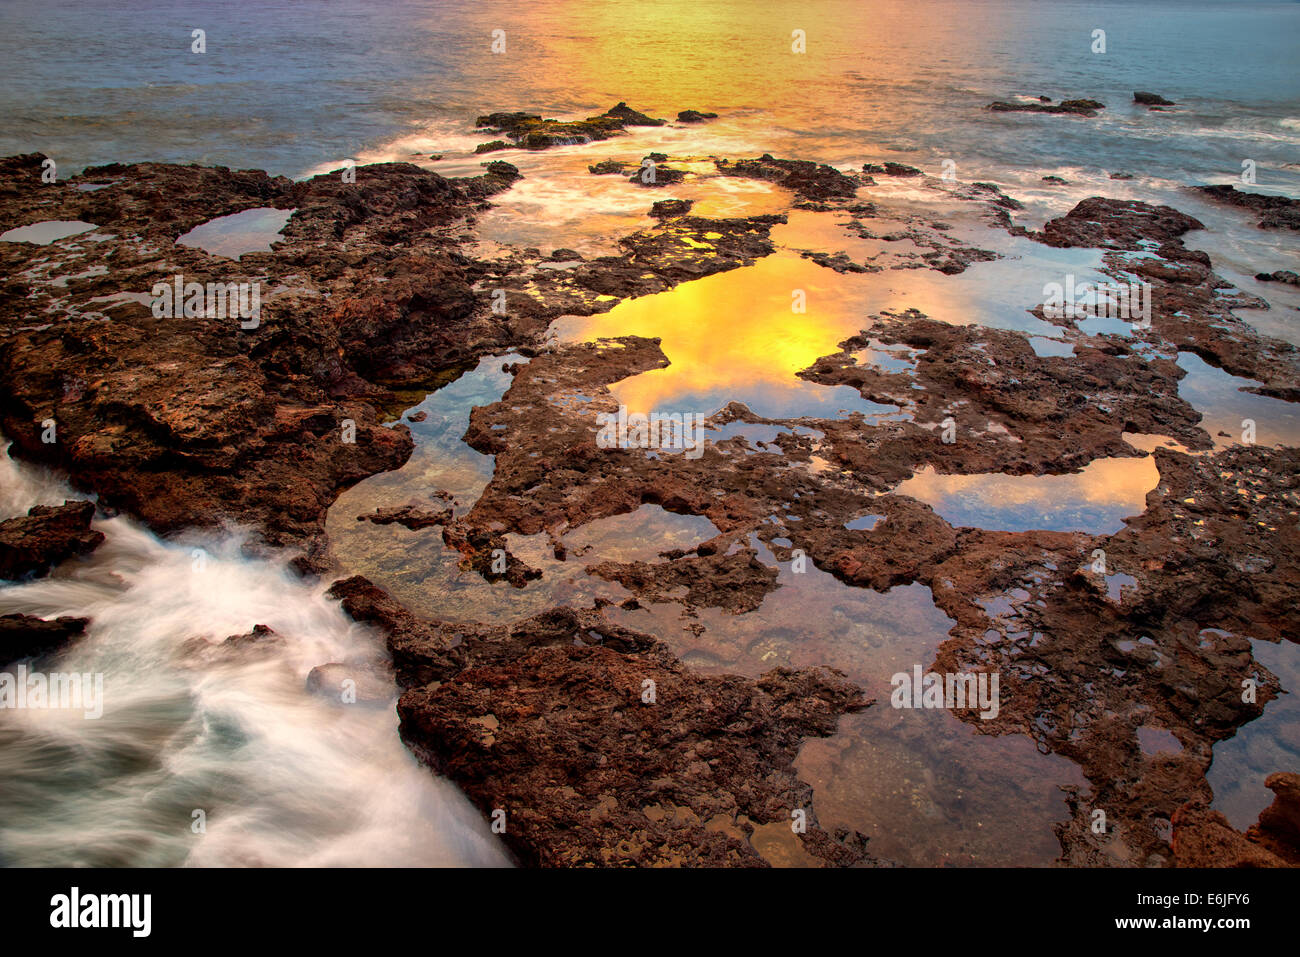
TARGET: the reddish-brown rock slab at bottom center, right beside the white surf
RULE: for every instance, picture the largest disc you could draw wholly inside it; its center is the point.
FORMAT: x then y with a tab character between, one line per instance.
597	747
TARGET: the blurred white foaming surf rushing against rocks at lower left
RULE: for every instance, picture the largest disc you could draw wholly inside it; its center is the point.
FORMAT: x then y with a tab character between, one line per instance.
283	776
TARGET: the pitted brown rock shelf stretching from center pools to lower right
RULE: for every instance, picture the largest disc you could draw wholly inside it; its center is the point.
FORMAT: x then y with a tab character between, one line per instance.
1216	555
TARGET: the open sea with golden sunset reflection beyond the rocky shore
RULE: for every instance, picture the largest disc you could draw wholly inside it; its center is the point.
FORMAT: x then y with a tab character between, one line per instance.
291	85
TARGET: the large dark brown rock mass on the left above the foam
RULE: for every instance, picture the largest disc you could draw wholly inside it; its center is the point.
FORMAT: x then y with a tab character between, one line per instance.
194	421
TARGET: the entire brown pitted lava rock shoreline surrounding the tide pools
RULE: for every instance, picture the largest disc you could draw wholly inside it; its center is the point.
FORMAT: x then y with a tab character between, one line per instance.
372	296
